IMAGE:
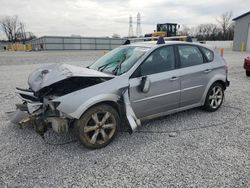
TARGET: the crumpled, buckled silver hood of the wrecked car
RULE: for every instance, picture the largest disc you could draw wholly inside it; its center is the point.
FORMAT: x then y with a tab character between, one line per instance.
47	75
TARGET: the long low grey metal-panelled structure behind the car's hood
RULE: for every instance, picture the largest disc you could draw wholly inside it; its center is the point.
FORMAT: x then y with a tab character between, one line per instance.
75	43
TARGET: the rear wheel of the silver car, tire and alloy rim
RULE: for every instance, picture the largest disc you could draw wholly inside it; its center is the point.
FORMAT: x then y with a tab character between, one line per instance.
214	98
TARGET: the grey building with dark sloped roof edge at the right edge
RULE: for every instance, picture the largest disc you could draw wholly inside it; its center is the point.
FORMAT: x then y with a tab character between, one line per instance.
242	32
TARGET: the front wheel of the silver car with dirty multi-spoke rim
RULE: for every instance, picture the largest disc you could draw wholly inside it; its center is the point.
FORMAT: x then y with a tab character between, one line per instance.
98	126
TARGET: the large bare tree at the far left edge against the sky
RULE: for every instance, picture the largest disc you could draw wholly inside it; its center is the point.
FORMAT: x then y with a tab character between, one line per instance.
13	28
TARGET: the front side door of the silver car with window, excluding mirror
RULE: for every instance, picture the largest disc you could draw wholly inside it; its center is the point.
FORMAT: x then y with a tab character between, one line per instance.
164	92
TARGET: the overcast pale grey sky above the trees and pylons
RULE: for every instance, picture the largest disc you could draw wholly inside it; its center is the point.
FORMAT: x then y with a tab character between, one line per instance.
106	17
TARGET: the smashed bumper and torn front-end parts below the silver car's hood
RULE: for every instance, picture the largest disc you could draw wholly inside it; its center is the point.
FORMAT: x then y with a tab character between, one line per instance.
40	113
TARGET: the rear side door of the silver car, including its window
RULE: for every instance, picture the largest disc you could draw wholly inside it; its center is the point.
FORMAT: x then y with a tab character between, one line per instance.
195	73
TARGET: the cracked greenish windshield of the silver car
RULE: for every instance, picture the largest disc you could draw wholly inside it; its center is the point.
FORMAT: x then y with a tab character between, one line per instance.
119	60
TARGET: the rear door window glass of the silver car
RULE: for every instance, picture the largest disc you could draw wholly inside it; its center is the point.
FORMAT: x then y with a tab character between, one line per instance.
190	55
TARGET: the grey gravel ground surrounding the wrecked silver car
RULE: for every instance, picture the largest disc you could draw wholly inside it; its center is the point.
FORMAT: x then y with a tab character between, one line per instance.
188	149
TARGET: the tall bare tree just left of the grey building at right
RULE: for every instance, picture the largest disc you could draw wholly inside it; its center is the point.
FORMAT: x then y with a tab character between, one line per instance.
225	22
